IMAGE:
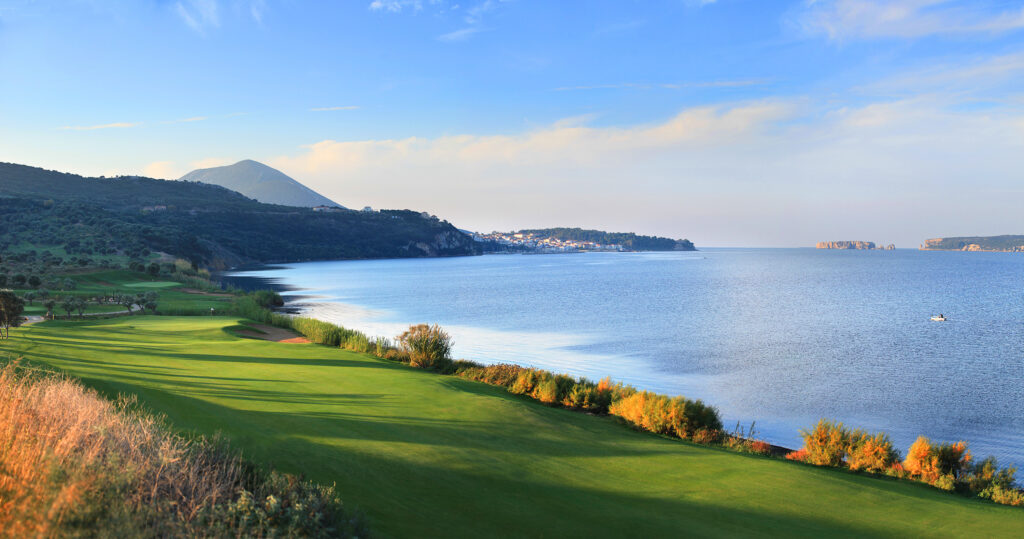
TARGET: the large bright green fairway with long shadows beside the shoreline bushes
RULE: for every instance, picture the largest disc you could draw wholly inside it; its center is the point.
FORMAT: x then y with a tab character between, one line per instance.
431	455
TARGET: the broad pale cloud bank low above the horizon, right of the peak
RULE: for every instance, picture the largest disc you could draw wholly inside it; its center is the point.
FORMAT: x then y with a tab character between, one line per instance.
771	173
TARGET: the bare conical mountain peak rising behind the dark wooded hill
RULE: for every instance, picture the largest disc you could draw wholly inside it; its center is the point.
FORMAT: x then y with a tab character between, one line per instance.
262	183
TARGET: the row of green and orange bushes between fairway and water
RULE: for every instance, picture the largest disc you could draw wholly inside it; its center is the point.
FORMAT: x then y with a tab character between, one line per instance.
948	467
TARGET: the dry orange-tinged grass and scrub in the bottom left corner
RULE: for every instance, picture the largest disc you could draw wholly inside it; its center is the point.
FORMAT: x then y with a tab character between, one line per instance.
73	464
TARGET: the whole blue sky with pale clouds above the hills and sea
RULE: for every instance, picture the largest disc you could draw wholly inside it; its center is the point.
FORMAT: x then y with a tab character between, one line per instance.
728	122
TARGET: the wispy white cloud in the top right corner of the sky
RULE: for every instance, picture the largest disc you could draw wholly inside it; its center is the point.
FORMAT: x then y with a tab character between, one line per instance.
842	20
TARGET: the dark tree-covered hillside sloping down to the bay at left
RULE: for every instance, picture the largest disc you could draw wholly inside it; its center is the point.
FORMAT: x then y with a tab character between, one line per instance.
91	219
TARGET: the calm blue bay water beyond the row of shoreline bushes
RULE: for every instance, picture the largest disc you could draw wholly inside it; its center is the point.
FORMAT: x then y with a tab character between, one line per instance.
778	337
